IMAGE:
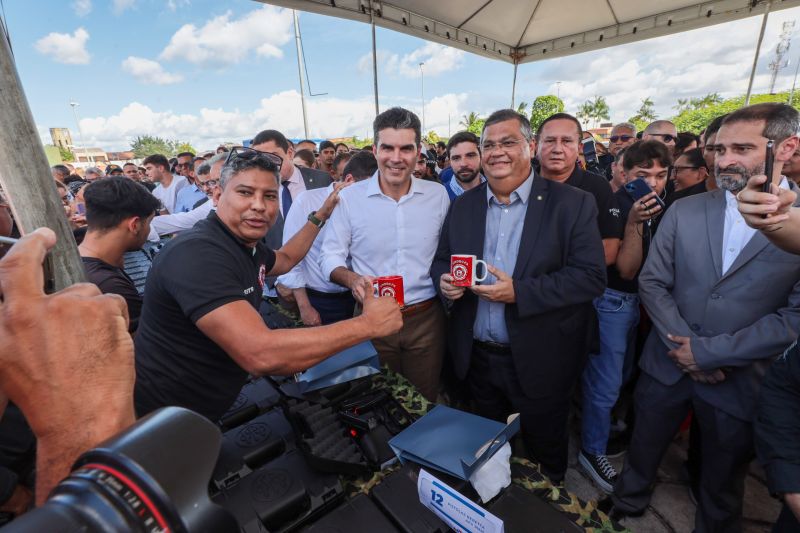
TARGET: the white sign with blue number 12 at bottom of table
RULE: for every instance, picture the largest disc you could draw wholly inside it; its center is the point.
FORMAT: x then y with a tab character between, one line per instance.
460	513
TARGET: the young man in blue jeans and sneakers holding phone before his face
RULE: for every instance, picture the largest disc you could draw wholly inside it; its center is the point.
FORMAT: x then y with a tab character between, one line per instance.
618	308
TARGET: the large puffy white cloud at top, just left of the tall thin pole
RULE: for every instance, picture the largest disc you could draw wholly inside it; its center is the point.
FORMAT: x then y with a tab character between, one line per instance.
224	40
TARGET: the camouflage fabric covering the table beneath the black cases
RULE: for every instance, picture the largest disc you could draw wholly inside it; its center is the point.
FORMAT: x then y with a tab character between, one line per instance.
523	472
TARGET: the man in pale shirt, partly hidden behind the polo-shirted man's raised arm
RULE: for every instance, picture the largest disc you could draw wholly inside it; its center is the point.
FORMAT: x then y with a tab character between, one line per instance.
320	301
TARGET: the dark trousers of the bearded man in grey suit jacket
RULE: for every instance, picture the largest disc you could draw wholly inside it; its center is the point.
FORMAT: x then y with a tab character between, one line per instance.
726	451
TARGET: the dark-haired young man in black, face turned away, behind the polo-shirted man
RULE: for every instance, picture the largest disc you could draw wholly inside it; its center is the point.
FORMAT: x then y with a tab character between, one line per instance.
118	216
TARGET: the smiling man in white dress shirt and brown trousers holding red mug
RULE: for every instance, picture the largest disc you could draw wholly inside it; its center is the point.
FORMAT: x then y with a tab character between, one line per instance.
389	225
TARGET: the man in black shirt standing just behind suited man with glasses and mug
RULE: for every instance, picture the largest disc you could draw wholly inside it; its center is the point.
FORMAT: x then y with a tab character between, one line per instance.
558	141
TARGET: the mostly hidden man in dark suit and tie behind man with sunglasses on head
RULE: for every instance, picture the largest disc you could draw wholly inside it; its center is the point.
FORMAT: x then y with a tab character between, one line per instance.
294	180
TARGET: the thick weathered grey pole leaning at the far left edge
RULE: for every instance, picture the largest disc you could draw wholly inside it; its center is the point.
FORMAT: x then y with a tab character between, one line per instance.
25	173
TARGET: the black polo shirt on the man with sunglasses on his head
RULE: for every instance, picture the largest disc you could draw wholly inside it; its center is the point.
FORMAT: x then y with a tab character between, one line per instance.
176	364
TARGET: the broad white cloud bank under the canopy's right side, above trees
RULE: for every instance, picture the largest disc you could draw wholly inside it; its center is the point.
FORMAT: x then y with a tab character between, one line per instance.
686	65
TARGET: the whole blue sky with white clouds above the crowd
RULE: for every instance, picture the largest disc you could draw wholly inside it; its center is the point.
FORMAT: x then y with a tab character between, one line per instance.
208	71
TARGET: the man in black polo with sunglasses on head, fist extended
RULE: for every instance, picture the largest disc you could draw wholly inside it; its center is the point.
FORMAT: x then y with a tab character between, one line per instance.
200	333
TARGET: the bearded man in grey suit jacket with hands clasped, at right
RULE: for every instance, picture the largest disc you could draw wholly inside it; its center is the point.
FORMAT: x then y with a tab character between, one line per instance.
725	302
